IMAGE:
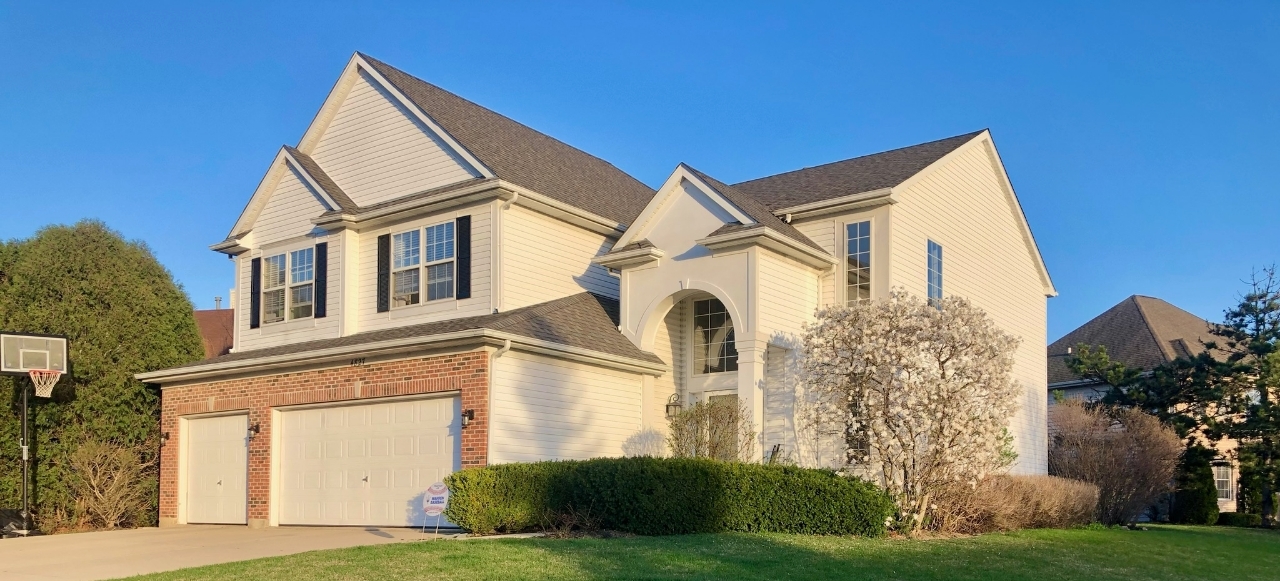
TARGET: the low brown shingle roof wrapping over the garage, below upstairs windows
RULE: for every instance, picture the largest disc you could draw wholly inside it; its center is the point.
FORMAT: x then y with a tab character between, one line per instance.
583	321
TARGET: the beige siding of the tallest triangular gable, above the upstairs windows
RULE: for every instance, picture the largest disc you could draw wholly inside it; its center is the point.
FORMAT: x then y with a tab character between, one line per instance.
377	150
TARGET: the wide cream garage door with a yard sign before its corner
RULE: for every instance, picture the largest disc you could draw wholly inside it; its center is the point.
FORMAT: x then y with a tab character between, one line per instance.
367	464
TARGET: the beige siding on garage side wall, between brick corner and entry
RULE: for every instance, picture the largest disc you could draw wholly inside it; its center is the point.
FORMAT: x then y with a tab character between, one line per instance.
548	409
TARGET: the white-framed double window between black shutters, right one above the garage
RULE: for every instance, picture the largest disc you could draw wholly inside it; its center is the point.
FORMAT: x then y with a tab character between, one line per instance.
409	266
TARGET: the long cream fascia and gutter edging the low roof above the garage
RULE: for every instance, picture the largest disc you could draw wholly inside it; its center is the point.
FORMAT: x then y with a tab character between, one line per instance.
391	347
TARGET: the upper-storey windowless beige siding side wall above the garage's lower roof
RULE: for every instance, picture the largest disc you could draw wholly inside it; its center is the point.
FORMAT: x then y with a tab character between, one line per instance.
545	259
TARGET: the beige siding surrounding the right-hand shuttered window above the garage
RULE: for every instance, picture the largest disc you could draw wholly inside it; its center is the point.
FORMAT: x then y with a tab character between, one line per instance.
482	275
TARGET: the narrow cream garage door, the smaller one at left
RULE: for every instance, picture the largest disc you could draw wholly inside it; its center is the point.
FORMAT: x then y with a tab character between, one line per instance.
218	470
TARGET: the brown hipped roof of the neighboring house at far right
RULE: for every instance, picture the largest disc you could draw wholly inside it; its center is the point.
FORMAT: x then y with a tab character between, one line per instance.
1140	332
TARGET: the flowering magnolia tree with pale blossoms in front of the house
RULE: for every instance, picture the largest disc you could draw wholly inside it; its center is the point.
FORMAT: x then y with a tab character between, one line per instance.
924	394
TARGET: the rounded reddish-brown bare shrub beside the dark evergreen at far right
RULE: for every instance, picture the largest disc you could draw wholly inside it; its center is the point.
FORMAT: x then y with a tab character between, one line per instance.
1130	455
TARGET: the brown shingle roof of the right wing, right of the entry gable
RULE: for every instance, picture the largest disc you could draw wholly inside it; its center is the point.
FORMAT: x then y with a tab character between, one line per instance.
849	177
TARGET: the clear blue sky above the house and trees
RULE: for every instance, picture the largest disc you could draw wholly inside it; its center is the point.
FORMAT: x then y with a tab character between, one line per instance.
1141	138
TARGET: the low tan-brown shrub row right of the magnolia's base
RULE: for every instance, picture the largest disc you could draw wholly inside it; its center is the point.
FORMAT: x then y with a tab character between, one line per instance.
1011	504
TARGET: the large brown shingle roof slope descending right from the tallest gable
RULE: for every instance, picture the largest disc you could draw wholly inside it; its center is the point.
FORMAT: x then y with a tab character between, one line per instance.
524	157
